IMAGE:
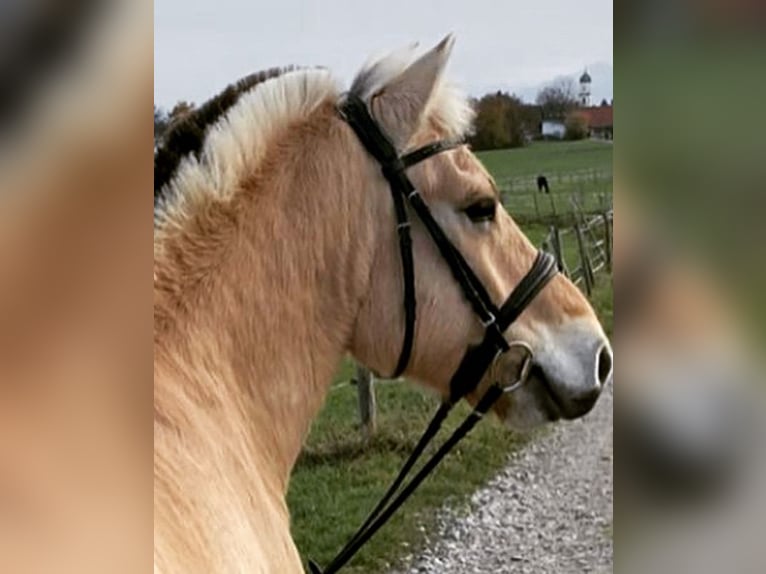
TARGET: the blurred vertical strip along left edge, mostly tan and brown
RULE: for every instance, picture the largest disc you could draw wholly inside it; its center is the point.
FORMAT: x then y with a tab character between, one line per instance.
75	287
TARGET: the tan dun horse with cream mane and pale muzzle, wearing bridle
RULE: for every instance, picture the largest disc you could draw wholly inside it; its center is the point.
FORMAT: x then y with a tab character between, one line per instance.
276	253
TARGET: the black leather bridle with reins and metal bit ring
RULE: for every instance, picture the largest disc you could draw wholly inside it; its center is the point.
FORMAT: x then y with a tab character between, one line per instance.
477	359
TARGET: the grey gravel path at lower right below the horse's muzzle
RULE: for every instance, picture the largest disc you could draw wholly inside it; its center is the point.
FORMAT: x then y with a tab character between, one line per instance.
549	511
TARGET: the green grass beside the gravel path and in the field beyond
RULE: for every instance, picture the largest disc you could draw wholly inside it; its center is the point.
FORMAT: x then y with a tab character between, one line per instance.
339	477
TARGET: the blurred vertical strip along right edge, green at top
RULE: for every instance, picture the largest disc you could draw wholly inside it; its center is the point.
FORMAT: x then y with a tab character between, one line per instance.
689	276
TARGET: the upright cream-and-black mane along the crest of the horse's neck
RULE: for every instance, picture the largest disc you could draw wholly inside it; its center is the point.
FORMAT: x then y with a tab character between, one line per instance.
208	153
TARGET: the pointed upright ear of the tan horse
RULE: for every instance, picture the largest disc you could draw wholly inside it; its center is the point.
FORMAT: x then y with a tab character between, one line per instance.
400	104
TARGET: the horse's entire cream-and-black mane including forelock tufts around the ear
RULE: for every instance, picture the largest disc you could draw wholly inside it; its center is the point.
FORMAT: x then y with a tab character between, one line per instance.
206	155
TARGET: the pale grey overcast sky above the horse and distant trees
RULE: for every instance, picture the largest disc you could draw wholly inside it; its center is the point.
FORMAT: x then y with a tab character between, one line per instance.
201	46
